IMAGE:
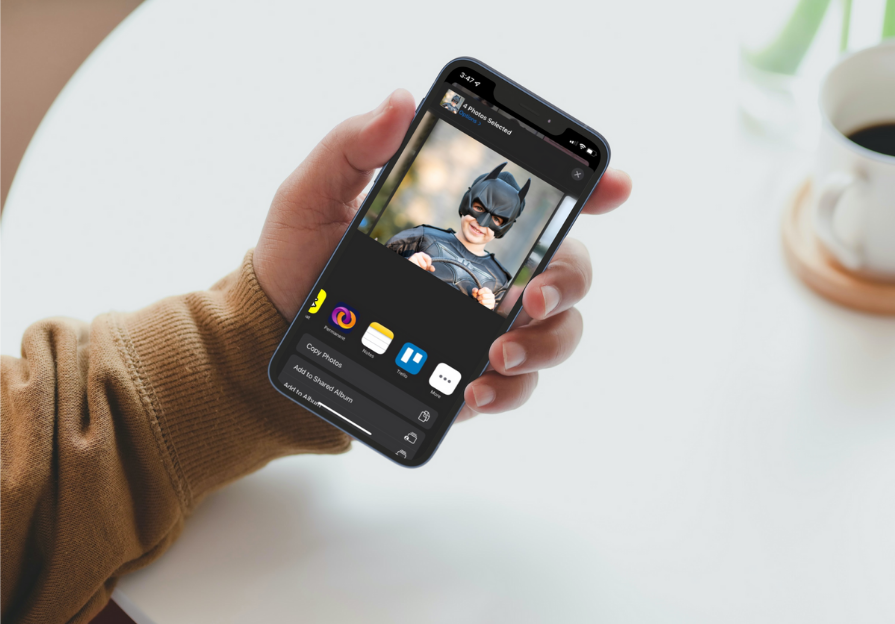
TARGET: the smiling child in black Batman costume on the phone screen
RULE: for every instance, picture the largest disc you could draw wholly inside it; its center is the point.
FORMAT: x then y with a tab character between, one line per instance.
488	210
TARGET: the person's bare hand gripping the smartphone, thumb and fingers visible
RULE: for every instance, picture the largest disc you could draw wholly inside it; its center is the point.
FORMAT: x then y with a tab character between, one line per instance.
315	204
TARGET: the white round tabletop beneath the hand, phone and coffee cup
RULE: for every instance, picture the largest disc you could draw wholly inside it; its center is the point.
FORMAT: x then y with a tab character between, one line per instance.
721	448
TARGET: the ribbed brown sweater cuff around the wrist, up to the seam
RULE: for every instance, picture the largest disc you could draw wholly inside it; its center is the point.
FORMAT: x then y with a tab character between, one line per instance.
199	362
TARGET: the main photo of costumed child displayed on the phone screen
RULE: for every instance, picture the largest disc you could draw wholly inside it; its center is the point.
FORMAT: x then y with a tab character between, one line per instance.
463	213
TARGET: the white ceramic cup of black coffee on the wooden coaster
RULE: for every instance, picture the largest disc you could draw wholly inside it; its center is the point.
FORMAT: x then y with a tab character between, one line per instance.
855	210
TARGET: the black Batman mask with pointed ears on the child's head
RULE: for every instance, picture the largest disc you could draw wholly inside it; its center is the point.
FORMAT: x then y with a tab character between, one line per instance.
500	196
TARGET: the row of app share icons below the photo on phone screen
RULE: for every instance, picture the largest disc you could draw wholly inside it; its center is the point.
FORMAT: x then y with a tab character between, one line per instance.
378	338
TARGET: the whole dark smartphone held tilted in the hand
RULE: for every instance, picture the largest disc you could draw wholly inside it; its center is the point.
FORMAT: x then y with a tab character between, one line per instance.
485	186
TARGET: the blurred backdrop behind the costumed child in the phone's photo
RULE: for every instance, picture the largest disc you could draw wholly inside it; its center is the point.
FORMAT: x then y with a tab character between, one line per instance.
439	165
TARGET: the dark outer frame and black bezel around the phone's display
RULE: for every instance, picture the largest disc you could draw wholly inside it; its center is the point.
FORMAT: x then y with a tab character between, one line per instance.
515	93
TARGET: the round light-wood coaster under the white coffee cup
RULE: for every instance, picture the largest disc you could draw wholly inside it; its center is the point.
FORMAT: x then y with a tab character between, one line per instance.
816	267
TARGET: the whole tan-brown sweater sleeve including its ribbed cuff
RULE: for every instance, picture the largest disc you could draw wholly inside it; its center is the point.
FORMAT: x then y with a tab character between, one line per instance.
113	432
